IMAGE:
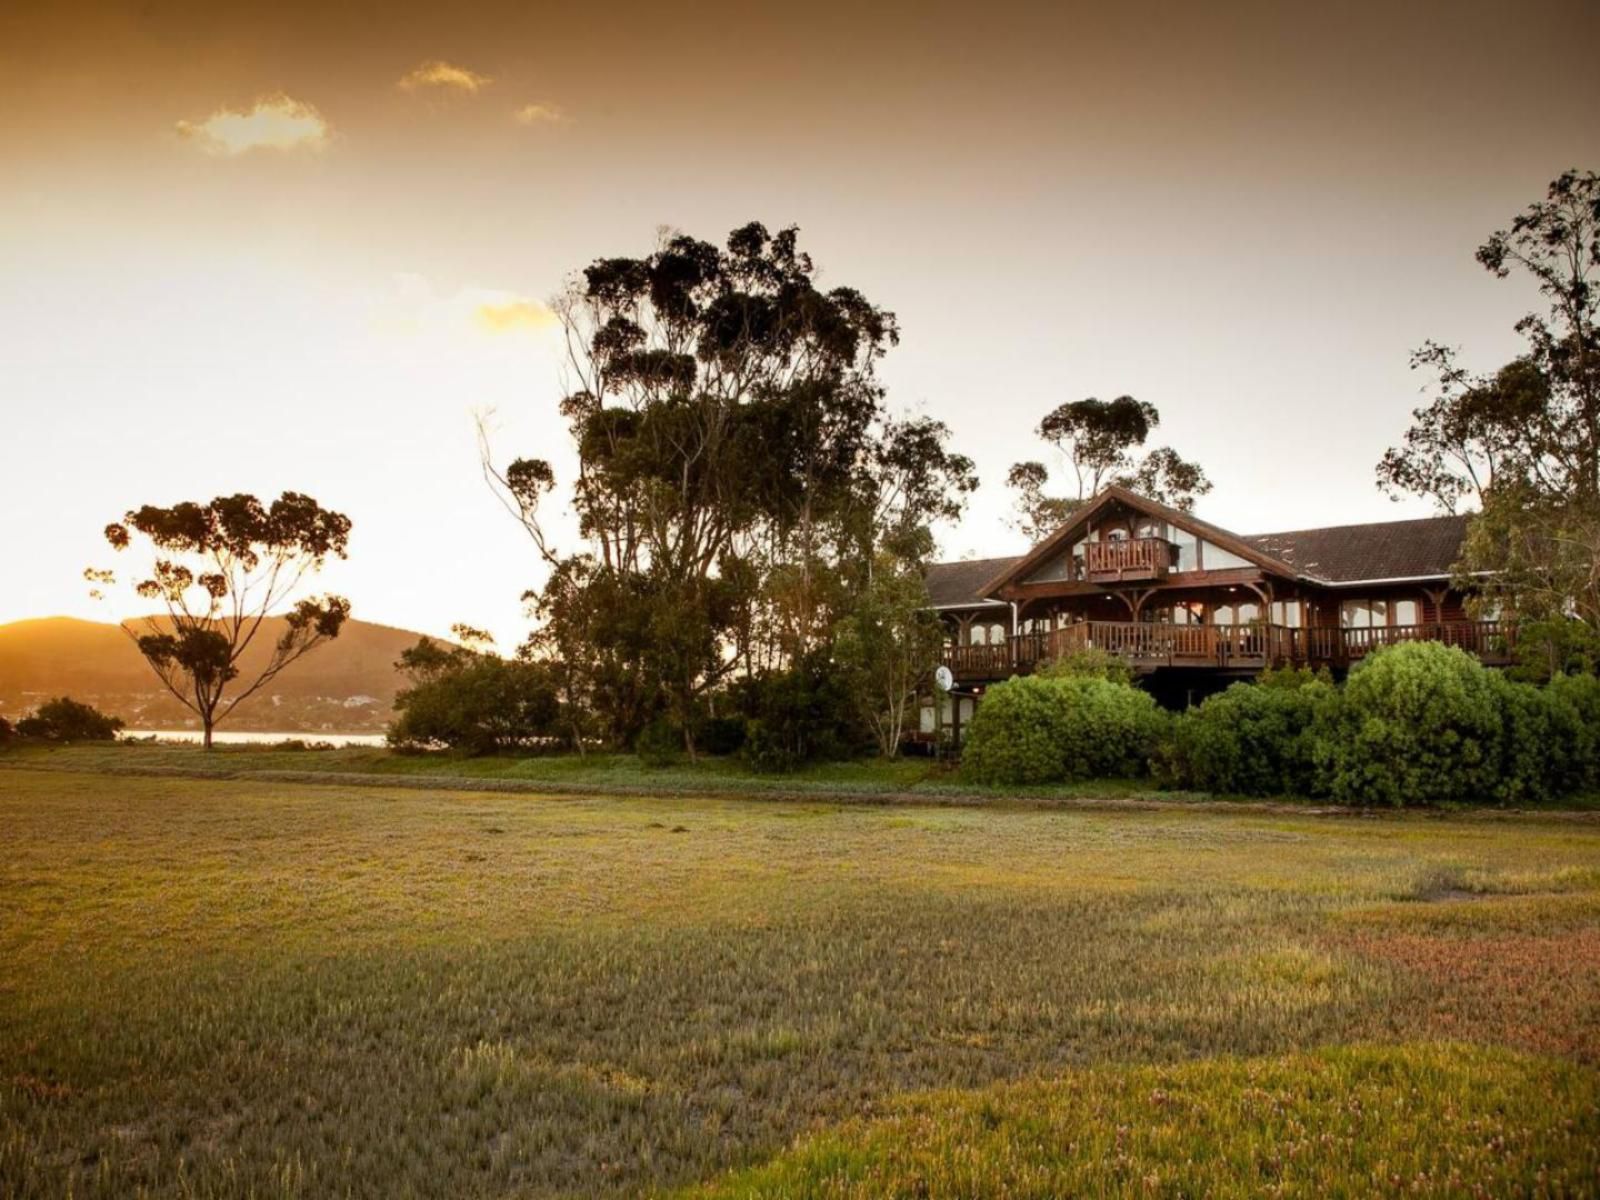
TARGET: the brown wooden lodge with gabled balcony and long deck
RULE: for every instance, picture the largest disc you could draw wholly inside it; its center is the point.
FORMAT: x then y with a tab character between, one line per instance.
1194	607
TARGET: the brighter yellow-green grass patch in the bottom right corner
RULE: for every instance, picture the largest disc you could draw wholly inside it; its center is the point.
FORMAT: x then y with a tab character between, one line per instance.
1337	1124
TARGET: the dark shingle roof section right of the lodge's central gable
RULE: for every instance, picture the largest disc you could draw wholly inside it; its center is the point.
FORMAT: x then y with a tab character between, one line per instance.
1428	546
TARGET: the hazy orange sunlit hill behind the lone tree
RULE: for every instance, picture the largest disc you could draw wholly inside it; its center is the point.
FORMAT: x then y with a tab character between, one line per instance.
346	686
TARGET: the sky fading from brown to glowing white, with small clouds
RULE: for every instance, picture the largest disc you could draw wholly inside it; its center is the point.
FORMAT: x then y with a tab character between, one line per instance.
302	246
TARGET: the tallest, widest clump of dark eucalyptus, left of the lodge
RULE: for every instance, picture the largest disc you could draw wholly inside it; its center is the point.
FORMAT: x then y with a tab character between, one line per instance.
735	465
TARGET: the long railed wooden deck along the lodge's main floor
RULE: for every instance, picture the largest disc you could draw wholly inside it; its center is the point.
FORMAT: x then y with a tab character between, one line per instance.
1150	646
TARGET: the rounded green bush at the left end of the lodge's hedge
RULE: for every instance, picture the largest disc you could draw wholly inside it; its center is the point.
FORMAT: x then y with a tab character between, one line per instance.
1039	730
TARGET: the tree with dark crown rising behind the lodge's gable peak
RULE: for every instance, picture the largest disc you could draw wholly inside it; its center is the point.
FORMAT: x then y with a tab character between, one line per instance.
1098	441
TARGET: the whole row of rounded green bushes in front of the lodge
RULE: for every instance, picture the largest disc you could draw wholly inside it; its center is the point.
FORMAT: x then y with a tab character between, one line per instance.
1414	724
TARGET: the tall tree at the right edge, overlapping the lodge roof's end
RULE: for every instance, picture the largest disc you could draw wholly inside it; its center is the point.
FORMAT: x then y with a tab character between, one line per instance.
1522	444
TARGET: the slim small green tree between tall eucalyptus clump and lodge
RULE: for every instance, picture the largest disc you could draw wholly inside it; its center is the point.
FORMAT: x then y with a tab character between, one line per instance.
889	646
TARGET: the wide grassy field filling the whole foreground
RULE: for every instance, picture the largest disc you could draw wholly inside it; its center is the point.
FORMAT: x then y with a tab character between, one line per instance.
257	988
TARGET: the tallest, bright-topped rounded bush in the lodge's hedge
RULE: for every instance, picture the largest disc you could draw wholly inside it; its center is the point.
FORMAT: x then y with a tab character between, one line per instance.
1417	724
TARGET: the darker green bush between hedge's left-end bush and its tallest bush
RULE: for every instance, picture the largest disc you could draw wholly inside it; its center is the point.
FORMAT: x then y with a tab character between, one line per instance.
1254	738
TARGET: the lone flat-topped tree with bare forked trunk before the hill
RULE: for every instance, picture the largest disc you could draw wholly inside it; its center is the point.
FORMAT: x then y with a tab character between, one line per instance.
222	570
